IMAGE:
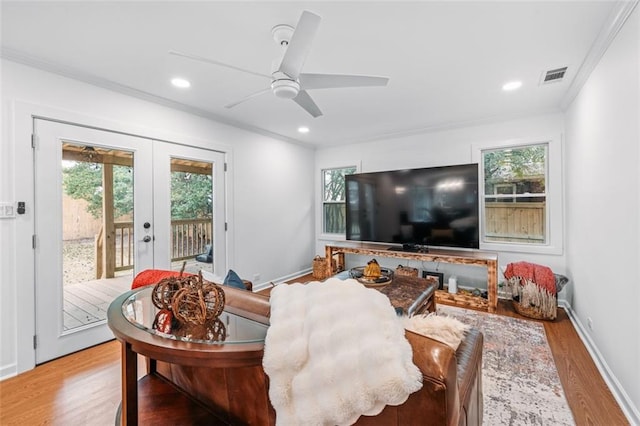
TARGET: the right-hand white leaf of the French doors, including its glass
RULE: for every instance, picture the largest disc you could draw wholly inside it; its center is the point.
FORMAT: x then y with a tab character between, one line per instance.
191	181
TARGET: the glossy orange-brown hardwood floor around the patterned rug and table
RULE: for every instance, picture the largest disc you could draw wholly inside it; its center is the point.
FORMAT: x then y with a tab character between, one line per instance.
84	388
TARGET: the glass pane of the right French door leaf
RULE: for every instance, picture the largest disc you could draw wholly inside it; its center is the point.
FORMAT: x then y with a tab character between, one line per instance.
191	215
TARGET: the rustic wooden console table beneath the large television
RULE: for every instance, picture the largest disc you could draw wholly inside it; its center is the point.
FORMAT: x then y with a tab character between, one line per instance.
475	258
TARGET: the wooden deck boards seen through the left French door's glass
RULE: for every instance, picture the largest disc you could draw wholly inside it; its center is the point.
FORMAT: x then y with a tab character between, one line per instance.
86	303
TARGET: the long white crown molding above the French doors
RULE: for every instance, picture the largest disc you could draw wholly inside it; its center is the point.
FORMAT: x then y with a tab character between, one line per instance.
75	74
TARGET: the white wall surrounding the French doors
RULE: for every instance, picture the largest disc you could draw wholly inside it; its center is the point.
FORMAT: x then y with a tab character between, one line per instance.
270	195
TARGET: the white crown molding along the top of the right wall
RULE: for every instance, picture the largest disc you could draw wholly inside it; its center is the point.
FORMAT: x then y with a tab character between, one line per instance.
615	21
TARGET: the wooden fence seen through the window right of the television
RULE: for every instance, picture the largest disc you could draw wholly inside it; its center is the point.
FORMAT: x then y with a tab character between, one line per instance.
515	222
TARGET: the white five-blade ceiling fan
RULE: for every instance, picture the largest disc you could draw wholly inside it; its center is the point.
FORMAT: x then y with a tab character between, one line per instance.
287	80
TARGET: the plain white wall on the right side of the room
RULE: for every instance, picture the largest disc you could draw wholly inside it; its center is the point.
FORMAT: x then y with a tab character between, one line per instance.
603	210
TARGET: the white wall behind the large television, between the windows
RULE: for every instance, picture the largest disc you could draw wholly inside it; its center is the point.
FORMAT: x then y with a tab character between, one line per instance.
439	149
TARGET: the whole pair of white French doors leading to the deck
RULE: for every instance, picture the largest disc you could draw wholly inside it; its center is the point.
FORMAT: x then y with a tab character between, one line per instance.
105	209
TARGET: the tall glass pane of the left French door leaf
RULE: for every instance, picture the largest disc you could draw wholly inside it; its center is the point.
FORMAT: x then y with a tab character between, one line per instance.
97	231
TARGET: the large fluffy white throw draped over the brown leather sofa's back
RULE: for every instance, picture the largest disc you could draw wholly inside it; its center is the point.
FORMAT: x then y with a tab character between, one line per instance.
334	351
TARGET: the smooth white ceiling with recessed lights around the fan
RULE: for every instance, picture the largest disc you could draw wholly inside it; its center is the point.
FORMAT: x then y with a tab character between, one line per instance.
446	61
